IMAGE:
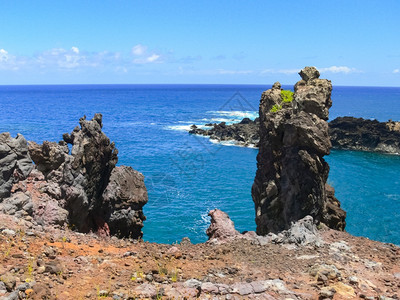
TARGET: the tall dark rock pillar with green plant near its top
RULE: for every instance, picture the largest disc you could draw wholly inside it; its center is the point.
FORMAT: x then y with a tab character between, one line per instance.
291	176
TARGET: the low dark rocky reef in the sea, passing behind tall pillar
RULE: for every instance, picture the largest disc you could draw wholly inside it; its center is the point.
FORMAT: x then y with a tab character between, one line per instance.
346	133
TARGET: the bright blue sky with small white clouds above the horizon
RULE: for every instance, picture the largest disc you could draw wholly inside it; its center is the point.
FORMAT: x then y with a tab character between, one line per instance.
245	42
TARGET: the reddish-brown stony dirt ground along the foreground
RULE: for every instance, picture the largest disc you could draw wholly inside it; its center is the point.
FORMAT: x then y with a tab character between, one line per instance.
49	263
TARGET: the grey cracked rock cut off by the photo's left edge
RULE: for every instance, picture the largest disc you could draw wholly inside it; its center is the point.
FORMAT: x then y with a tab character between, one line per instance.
15	163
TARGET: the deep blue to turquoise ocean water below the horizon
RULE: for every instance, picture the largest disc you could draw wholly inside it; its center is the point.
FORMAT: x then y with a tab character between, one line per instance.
186	175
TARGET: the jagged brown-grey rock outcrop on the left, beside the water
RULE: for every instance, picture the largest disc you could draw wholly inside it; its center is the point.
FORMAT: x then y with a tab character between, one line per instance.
82	188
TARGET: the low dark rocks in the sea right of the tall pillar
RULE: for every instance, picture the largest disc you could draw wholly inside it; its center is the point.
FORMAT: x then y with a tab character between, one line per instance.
366	135
